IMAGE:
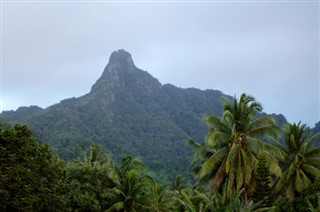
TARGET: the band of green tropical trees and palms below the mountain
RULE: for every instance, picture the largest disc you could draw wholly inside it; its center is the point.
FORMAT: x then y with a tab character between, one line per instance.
247	162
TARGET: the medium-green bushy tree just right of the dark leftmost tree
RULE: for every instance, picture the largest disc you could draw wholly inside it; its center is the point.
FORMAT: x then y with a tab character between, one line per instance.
91	181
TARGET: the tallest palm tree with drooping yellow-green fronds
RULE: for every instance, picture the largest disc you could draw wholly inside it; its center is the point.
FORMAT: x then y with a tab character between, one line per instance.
233	143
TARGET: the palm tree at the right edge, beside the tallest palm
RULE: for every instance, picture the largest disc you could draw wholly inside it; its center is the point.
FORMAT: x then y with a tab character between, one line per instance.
302	160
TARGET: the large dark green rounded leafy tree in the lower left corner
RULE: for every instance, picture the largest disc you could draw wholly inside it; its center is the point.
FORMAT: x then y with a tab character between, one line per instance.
30	175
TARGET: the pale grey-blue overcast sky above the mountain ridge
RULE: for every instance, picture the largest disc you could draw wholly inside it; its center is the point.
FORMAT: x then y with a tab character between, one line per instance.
56	50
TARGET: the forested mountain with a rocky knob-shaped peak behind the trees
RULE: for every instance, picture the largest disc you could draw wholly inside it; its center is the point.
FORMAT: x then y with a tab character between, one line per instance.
127	111
